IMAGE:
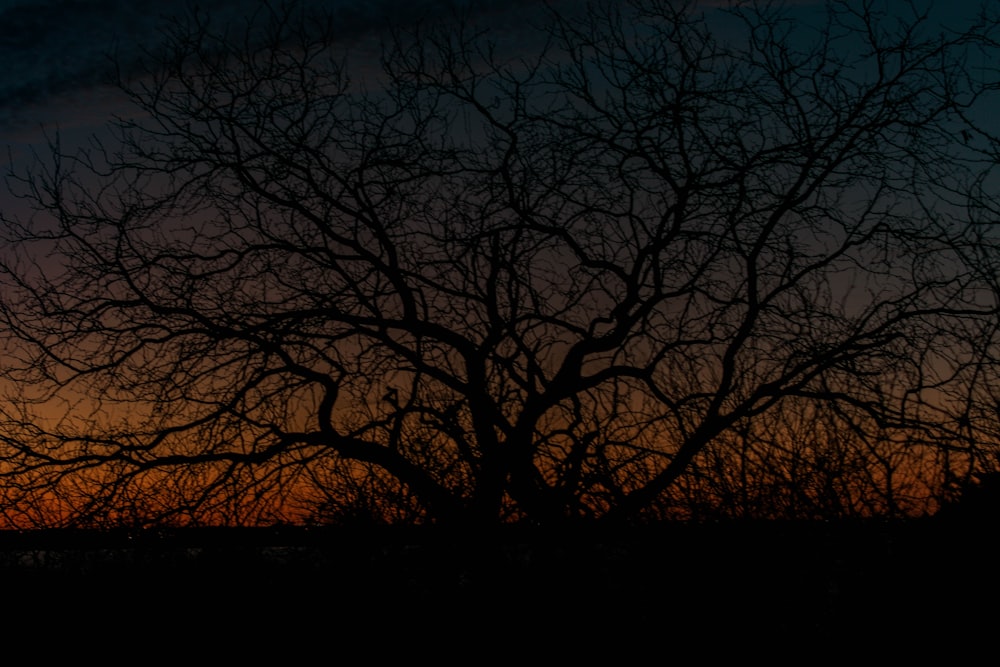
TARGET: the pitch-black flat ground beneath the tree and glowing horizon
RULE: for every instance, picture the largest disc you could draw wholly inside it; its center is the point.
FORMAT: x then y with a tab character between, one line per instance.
669	594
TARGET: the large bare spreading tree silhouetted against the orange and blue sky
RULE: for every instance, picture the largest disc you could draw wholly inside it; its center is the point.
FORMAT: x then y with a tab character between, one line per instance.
484	284
